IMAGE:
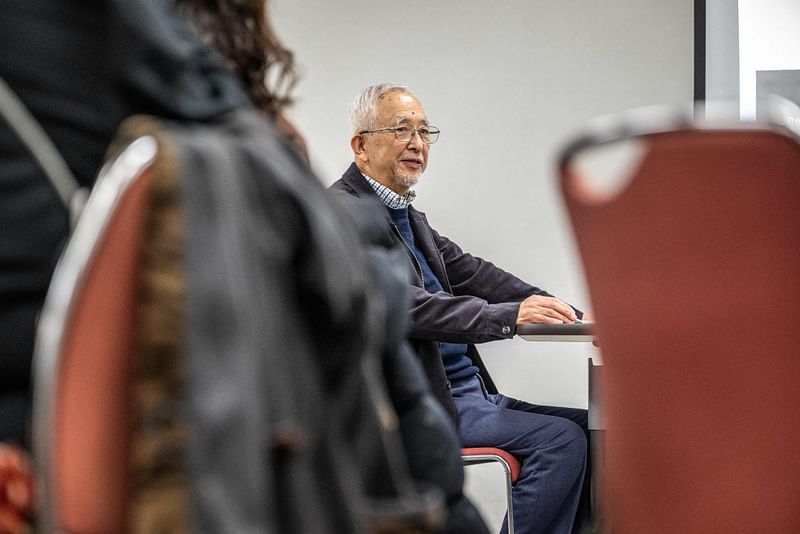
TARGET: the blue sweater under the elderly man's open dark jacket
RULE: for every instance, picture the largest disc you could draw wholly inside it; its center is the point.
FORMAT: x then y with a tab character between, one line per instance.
457	365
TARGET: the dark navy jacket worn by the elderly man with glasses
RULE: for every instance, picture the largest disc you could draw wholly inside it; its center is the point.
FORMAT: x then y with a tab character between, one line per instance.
480	301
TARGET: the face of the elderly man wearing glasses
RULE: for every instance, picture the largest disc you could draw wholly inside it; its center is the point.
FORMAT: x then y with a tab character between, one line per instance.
395	164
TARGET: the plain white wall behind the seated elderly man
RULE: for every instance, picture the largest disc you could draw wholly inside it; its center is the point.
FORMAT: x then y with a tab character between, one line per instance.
506	81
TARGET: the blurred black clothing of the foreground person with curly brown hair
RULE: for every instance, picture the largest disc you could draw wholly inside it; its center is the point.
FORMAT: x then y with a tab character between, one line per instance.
80	69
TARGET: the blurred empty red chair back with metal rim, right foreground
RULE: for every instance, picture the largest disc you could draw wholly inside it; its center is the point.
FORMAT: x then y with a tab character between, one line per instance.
692	258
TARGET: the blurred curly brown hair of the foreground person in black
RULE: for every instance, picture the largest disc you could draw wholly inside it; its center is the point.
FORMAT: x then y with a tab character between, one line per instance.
240	30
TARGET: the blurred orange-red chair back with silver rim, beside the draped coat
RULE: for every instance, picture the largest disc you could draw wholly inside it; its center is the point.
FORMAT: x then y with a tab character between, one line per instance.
82	425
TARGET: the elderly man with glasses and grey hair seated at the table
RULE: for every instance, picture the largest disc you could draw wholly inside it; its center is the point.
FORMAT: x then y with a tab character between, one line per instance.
460	300
